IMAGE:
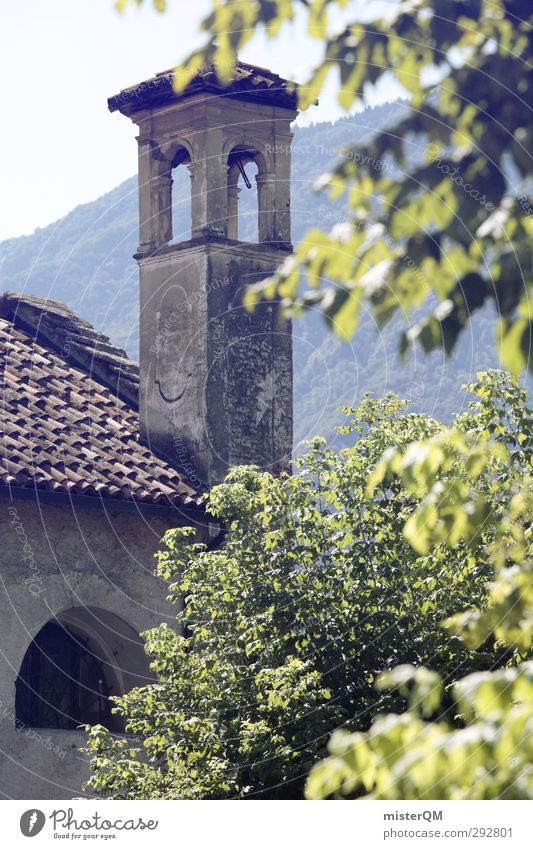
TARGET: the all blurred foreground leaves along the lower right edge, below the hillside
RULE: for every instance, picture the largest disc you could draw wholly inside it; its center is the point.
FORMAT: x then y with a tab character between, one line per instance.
483	748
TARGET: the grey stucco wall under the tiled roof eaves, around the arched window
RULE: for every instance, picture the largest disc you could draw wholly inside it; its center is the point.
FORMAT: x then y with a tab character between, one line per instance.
97	562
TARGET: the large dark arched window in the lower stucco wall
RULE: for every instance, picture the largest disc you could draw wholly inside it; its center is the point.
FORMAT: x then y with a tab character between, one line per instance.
73	665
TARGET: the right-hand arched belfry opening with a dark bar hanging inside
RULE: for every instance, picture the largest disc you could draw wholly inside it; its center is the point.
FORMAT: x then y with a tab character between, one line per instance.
243	195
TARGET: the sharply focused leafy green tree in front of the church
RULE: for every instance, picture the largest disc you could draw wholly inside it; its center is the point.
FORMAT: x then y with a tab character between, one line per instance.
315	592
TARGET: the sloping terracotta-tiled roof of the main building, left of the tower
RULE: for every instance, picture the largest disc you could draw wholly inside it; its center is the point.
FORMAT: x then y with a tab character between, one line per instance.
65	422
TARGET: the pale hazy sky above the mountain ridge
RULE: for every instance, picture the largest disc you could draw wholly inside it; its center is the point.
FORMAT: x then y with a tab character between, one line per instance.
60	60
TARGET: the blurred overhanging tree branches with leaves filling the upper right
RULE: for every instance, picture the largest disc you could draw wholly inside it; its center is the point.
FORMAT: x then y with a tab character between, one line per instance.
439	207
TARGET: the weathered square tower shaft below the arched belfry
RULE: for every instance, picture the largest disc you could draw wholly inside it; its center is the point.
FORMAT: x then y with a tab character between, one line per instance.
216	380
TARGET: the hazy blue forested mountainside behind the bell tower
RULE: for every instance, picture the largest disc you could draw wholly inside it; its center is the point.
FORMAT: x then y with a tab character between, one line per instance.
85	259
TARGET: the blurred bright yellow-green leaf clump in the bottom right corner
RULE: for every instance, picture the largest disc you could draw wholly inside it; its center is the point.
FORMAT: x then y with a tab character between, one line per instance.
405	757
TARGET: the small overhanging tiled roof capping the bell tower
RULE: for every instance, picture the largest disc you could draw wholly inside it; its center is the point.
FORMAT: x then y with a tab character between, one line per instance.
250	83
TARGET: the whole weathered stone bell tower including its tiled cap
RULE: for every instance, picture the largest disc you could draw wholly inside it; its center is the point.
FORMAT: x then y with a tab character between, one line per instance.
215	380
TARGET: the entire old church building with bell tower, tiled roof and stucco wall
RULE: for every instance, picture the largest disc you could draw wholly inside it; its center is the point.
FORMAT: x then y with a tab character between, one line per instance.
100	456
